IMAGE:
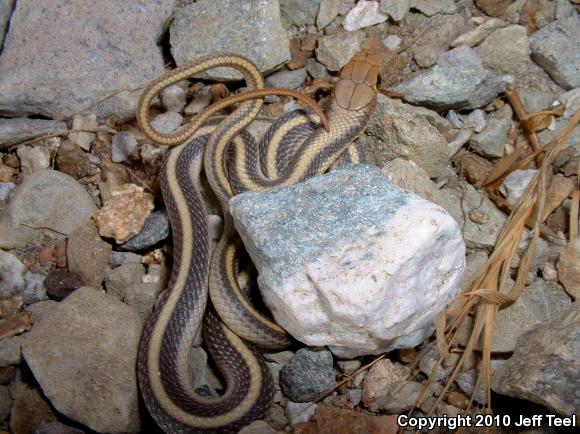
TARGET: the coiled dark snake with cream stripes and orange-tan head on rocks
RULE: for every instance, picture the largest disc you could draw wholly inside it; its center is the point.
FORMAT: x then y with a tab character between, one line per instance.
203	288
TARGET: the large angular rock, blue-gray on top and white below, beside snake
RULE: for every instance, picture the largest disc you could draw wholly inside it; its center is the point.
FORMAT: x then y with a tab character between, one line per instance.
336	253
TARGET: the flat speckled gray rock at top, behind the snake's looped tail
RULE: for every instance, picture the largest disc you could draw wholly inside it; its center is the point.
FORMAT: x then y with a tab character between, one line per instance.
210	26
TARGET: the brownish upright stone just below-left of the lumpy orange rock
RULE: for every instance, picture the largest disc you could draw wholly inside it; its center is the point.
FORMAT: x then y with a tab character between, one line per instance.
88	254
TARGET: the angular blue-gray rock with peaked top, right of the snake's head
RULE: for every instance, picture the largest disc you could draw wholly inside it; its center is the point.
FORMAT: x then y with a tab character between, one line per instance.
458	81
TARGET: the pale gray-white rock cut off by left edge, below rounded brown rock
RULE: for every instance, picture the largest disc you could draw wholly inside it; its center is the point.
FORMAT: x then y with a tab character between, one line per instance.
17	281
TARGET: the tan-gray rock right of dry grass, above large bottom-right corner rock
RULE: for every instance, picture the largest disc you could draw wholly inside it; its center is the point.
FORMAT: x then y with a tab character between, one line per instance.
540	303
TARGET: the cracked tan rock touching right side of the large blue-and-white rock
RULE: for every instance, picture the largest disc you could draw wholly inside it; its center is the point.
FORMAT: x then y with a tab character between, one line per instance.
463	198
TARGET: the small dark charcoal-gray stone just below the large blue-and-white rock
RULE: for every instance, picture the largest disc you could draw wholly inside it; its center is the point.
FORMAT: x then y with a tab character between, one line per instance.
309	373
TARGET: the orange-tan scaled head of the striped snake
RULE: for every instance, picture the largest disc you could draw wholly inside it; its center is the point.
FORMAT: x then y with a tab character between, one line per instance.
357	86
